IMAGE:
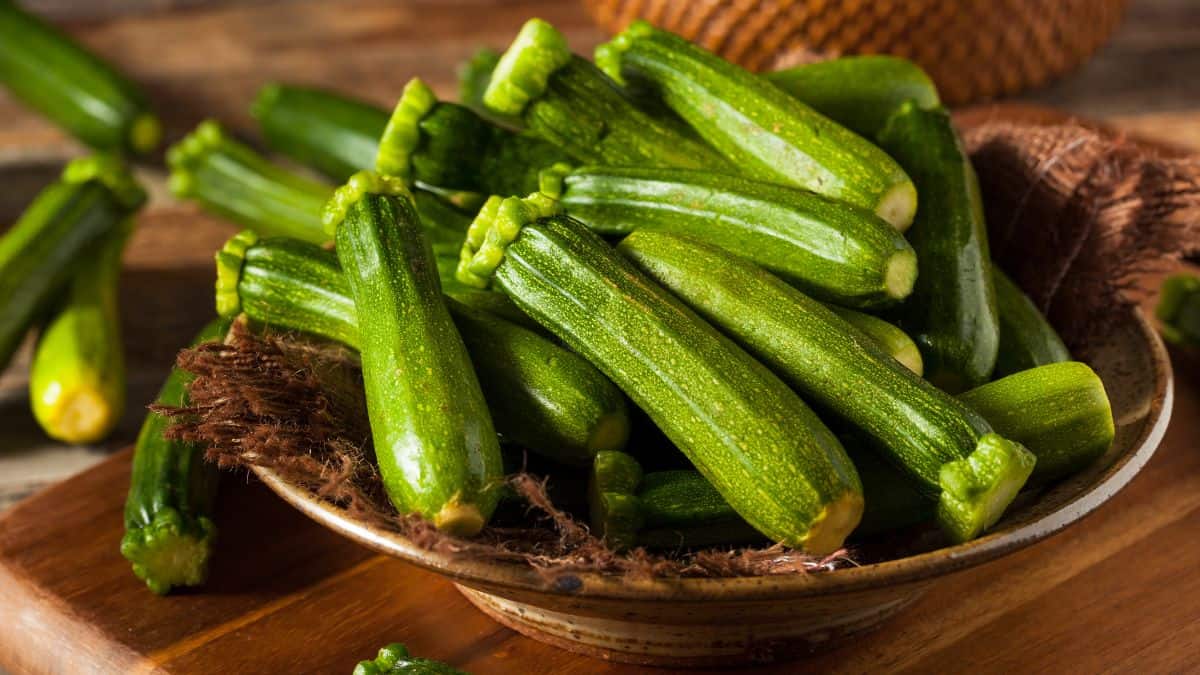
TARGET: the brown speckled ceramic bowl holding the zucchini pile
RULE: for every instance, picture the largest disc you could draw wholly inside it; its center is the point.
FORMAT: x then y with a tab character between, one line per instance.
692	623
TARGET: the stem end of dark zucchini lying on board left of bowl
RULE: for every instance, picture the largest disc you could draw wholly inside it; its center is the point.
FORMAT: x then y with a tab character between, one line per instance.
171	551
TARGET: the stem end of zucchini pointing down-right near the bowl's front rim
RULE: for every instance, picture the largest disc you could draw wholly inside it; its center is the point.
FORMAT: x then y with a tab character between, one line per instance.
977	489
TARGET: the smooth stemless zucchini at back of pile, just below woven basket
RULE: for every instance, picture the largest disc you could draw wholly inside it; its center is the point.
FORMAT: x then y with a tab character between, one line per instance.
861	92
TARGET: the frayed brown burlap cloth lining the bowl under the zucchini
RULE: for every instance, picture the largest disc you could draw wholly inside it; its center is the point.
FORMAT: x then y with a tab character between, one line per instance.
1075	217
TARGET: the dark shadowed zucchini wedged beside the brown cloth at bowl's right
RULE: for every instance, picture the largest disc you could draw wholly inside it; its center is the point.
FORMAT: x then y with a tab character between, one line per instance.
1027	338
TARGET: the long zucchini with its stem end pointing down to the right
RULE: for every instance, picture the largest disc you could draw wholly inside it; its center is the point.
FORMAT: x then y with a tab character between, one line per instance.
947	449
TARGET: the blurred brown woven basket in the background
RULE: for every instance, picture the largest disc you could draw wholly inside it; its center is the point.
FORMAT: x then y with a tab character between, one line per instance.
974	50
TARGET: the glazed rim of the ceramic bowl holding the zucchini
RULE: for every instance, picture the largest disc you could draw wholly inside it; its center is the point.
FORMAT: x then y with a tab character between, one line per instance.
595	586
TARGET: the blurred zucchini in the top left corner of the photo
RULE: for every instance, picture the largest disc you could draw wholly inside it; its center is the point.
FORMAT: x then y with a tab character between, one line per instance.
58	77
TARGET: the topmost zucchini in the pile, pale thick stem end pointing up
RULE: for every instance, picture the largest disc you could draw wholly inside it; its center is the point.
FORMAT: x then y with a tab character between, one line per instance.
569	103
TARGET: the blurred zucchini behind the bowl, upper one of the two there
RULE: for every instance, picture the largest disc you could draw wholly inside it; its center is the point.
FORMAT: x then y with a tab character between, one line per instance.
327	132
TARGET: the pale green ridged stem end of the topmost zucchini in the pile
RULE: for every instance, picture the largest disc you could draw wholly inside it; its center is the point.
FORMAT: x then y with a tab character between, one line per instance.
526	68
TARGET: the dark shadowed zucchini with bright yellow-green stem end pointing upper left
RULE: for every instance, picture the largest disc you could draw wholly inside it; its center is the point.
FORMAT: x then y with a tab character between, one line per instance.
451	147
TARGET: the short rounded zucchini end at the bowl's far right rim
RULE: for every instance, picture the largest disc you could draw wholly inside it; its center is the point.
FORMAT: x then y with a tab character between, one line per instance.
1059	411
